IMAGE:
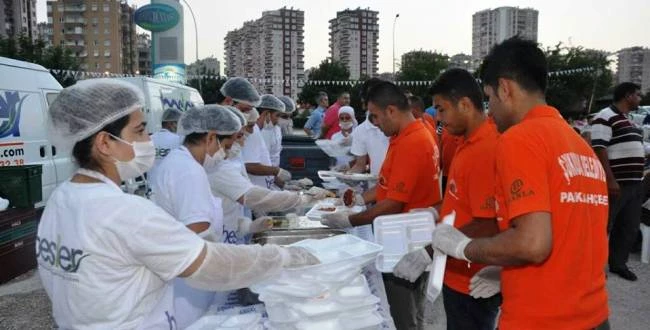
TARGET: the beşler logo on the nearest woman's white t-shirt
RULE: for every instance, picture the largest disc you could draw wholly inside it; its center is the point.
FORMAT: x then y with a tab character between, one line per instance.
58	256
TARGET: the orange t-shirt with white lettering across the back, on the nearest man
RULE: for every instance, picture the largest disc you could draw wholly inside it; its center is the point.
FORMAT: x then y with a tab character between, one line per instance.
543	166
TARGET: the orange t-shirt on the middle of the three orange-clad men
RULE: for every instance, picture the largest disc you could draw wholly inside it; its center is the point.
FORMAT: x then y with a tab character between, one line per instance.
470	192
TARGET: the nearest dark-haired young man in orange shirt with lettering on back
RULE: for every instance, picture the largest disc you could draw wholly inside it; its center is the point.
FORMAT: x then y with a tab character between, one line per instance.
551	200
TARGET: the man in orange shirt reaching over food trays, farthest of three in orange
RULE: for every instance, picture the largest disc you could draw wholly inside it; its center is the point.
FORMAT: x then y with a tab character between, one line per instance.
409	179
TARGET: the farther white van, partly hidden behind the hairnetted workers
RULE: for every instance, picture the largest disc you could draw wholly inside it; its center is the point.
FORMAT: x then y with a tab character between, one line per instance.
161	95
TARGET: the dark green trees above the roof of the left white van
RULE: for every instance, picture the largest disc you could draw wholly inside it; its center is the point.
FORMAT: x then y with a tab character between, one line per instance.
58	59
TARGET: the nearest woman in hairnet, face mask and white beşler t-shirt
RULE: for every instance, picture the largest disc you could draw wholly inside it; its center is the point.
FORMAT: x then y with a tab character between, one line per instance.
105	257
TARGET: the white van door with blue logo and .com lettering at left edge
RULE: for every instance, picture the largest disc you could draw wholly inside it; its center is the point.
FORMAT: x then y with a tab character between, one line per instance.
23	134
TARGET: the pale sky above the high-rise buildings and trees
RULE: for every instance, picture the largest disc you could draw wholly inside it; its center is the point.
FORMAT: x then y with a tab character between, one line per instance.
444	26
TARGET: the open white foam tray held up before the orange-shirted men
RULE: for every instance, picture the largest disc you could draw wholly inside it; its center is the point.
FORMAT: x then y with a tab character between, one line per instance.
400	234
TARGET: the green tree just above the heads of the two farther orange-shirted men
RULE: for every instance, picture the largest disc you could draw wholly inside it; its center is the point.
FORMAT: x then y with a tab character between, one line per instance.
419	65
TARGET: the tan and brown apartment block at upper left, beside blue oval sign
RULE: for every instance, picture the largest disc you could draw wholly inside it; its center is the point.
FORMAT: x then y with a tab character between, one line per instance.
99	33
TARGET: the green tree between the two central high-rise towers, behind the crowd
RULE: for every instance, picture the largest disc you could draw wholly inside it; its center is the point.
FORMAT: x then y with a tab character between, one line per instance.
328	70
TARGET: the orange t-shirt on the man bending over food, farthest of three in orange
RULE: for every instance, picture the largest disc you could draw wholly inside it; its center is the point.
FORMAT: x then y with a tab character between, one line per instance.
410	173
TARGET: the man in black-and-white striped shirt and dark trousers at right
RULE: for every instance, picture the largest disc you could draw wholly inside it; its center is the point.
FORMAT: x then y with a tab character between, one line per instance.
619	146
